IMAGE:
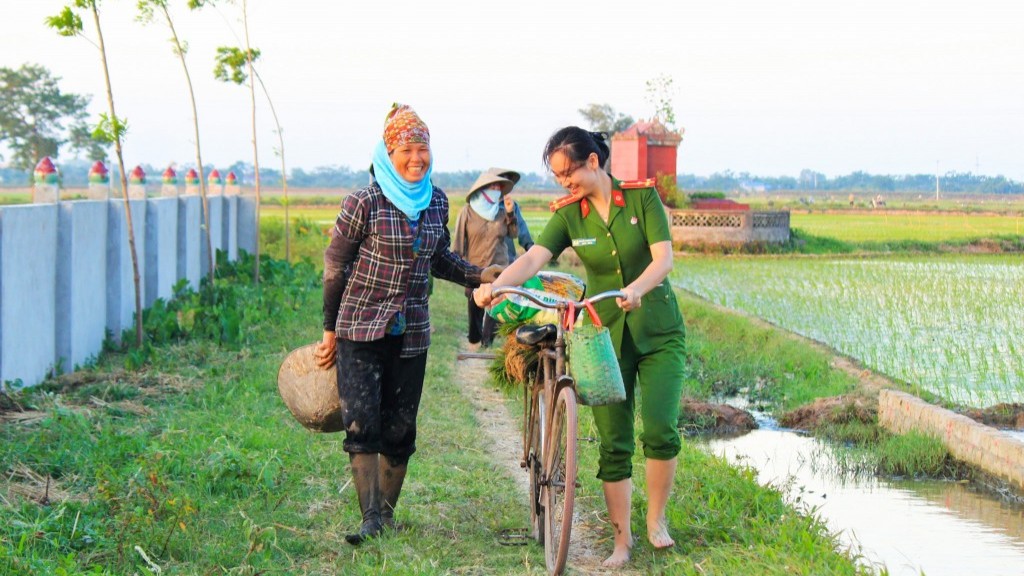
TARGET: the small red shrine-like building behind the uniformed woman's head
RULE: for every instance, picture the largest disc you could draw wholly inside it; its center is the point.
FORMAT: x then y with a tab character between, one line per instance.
645	151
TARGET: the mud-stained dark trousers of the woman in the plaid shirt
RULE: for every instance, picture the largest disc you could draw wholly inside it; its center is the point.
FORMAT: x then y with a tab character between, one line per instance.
380	397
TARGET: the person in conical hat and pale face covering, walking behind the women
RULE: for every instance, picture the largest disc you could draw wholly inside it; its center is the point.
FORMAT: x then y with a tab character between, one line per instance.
481	233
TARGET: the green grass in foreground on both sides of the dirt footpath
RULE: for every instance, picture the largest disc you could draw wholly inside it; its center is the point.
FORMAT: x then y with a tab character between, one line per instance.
203	470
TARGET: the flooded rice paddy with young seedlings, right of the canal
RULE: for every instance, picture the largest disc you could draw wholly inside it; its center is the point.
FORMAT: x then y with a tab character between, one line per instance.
952	324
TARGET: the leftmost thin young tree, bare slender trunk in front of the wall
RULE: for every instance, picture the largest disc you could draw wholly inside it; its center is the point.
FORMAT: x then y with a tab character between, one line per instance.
111	129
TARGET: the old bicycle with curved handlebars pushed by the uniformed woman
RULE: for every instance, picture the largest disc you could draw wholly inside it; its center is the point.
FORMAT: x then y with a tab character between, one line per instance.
549	439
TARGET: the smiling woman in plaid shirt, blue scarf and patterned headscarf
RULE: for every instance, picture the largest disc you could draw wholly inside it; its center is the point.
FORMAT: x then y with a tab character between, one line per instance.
388	238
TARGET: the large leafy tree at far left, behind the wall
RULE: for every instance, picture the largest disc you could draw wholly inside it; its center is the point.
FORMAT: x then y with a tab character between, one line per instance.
33	115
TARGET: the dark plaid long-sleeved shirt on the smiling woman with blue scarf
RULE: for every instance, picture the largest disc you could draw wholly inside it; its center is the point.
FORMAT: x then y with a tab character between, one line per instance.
371	273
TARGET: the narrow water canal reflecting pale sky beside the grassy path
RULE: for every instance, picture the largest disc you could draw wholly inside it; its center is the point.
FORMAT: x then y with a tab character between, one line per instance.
911	527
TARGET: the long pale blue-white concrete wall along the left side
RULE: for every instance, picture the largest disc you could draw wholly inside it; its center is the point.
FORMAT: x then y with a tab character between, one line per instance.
66	272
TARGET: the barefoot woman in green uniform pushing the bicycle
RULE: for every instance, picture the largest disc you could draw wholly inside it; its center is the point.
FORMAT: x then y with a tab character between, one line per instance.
621	233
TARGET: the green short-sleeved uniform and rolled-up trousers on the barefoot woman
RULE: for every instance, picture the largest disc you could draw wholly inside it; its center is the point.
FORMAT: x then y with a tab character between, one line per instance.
650	341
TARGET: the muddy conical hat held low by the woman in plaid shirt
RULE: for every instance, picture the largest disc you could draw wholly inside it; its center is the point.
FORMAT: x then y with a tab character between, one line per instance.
311	392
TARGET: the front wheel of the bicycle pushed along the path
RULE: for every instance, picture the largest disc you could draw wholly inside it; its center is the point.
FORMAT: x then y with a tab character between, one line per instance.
561	469
